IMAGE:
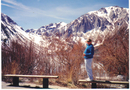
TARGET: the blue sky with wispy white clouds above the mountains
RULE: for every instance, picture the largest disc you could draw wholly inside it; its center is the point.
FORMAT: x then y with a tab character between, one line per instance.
32	14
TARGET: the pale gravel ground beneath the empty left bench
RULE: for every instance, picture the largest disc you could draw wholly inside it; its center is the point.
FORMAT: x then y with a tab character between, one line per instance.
28	86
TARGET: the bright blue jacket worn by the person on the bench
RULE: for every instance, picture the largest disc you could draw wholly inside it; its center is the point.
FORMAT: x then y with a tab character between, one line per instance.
89	51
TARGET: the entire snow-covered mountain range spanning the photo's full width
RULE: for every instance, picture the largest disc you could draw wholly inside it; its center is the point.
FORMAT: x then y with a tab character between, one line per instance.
94	25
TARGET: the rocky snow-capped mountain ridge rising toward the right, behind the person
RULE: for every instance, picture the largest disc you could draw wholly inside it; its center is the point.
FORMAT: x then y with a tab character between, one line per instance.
93	24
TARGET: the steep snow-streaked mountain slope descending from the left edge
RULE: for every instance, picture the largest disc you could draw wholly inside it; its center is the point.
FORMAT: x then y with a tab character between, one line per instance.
10	31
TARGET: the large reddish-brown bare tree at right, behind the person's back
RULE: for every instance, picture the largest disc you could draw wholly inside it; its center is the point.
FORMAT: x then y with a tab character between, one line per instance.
114	52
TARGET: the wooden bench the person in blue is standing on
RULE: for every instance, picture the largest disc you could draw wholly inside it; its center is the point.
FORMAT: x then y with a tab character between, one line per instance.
93	85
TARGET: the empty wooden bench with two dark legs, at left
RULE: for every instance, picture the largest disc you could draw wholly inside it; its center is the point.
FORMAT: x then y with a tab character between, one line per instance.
45	78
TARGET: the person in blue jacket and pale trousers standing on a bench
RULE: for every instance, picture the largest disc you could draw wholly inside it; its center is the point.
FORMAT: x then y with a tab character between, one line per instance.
88	56
